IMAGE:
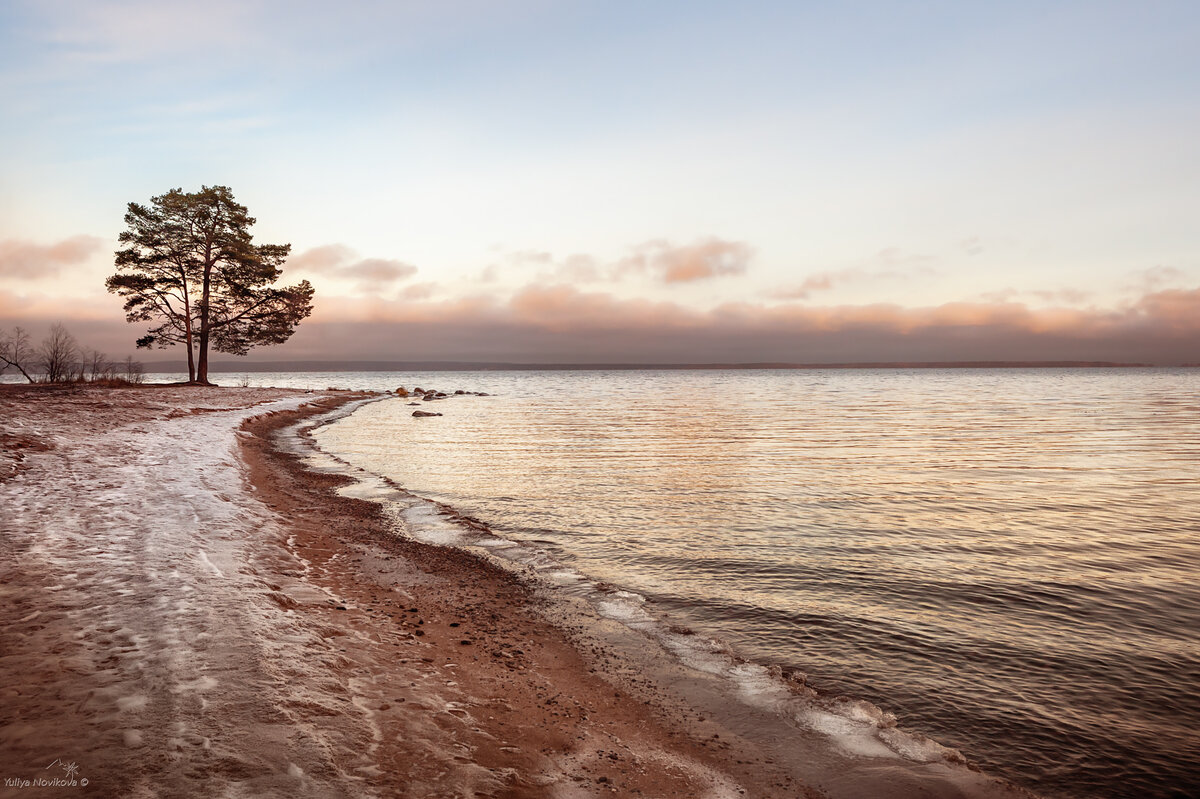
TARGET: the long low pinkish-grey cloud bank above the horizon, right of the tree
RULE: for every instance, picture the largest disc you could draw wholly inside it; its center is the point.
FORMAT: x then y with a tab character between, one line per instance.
560	323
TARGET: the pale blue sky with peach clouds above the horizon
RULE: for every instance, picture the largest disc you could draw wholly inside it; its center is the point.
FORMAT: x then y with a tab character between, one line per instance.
616	182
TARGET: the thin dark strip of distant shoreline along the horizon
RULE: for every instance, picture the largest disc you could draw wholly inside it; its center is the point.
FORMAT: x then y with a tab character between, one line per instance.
161	368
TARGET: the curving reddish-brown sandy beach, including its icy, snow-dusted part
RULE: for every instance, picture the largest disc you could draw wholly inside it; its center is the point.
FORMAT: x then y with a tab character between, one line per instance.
189	611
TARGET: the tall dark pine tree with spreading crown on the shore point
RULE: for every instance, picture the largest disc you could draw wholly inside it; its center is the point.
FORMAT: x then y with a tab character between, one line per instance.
189	266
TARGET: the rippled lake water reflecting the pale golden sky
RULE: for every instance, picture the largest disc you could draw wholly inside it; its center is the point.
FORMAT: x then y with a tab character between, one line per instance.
1005	560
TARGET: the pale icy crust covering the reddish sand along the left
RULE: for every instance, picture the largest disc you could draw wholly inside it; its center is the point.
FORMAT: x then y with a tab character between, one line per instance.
139	543
